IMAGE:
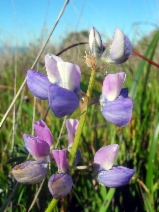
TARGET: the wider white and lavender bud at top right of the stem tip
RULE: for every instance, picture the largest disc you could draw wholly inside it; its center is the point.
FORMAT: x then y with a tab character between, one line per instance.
121	48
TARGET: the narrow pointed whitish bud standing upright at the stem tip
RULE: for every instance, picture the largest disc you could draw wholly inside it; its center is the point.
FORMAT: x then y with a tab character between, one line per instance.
95	43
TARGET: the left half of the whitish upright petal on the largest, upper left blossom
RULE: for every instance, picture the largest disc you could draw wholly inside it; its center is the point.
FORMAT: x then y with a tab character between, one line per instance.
52	69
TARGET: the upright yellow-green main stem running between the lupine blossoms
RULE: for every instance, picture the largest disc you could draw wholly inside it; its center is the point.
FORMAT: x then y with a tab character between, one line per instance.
82	118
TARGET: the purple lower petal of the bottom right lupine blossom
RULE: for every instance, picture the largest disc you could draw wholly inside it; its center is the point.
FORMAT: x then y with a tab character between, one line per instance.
115	177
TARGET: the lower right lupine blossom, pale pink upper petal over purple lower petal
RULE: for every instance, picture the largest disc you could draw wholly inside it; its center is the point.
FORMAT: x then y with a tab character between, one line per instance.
109	175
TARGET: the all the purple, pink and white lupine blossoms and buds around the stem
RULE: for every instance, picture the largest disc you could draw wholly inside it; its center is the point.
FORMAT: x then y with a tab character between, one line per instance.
61	87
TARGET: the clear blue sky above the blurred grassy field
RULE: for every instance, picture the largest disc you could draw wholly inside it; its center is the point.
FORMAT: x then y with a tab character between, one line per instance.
25	19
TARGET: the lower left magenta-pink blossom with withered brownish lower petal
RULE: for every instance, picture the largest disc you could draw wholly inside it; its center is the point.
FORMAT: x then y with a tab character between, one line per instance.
31	172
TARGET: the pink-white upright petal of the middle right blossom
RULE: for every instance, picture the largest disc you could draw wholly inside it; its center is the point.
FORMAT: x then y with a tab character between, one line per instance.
112	85
